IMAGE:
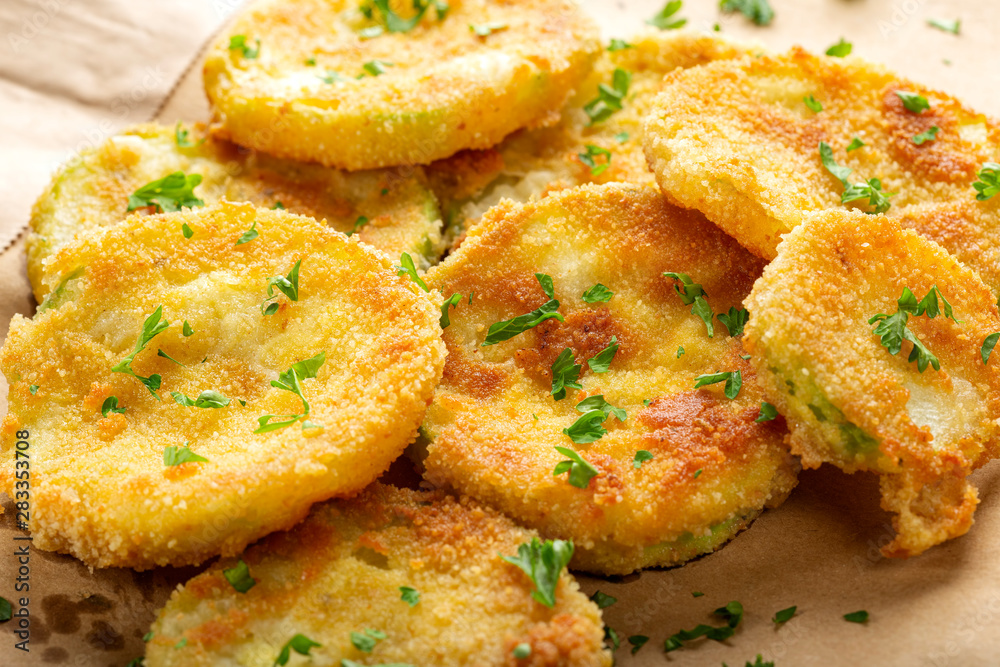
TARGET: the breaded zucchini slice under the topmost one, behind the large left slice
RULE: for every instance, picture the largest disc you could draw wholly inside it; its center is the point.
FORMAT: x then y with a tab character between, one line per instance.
390	209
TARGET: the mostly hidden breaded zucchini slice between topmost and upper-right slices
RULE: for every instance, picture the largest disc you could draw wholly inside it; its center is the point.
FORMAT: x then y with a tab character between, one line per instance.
534	162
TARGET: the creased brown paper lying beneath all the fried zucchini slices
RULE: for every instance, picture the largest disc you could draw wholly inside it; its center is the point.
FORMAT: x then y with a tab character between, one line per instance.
818	551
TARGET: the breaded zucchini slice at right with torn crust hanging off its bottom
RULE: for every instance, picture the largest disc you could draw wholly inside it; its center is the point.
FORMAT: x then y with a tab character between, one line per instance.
847	399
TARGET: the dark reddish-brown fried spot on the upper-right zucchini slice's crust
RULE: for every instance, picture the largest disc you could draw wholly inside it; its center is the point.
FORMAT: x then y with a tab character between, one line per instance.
938	160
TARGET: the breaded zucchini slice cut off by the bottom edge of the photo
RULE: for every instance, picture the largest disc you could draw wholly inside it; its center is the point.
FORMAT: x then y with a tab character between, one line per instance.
339	578
